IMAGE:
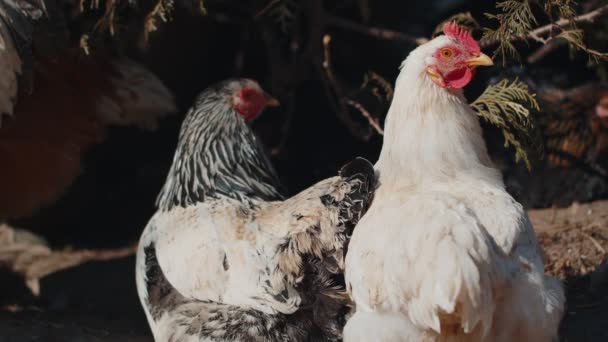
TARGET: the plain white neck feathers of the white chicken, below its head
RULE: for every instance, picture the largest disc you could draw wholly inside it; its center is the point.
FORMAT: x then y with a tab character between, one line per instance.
429	130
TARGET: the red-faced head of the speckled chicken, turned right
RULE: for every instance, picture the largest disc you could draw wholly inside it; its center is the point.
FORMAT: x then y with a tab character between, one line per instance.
248	98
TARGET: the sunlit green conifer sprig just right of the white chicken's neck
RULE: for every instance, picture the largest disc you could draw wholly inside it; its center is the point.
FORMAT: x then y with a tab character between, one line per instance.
508	106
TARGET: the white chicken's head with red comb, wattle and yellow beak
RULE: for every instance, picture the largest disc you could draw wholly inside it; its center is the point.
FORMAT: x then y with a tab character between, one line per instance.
451	59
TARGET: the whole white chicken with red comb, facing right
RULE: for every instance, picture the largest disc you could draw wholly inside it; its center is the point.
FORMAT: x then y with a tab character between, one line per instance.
445	253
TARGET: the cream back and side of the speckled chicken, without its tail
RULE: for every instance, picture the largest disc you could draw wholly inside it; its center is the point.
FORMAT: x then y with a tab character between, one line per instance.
225	293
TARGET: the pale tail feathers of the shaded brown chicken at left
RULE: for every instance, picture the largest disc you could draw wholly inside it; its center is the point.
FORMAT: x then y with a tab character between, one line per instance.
139	98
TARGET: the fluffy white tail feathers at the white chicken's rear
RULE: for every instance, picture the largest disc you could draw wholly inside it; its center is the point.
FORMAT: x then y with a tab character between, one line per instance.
458	275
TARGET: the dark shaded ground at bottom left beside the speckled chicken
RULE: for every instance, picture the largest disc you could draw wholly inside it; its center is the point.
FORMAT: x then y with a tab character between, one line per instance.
91	302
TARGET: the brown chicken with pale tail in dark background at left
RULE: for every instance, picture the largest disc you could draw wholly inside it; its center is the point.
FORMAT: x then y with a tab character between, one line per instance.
74	100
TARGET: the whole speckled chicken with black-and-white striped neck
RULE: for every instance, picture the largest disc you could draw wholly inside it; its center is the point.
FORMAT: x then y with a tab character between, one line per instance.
225	257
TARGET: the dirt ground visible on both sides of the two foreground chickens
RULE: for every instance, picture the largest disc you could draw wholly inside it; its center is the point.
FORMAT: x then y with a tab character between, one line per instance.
97	301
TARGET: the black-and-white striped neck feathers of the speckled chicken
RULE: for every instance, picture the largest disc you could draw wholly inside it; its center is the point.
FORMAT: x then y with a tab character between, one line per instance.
217	155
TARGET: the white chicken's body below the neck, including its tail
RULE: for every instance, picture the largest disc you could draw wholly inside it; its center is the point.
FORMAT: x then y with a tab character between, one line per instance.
446	265
